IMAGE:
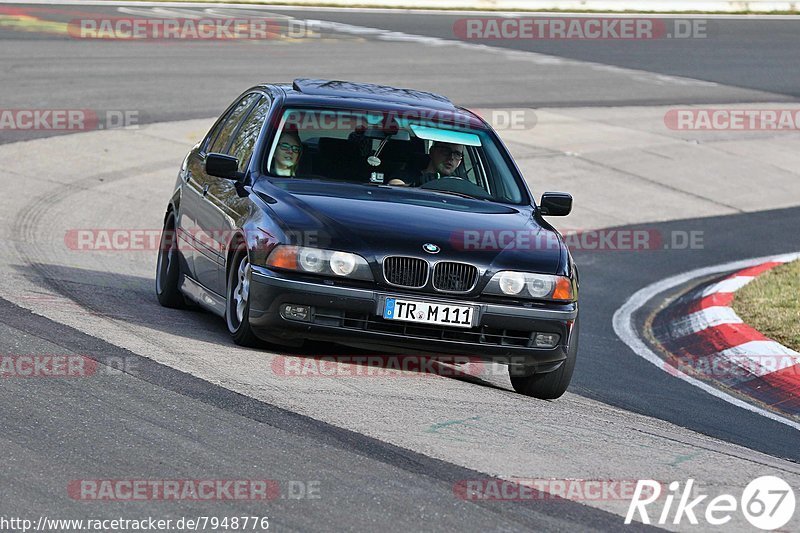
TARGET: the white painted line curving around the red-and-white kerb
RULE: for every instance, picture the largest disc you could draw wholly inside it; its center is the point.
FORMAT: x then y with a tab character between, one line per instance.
623	327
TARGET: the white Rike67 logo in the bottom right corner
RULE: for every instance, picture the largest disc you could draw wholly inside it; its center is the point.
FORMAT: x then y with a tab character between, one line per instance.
767	502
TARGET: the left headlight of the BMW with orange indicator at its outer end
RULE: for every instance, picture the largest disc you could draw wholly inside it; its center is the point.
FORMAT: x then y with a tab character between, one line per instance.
318	261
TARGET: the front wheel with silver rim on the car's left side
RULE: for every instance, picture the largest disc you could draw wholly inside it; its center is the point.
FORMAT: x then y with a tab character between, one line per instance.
237	308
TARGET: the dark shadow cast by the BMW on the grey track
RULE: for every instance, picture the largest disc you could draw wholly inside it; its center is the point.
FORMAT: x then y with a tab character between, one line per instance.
132	300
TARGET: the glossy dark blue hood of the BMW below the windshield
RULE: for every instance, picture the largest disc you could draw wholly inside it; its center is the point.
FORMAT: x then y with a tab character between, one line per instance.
377	221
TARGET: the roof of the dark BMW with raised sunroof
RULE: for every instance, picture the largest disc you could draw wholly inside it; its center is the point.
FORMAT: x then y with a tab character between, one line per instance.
338	93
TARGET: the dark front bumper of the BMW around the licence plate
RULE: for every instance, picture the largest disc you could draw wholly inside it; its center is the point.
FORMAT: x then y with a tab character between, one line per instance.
352	317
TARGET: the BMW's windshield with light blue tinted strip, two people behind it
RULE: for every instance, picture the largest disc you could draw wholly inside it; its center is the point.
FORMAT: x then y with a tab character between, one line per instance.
393	150
